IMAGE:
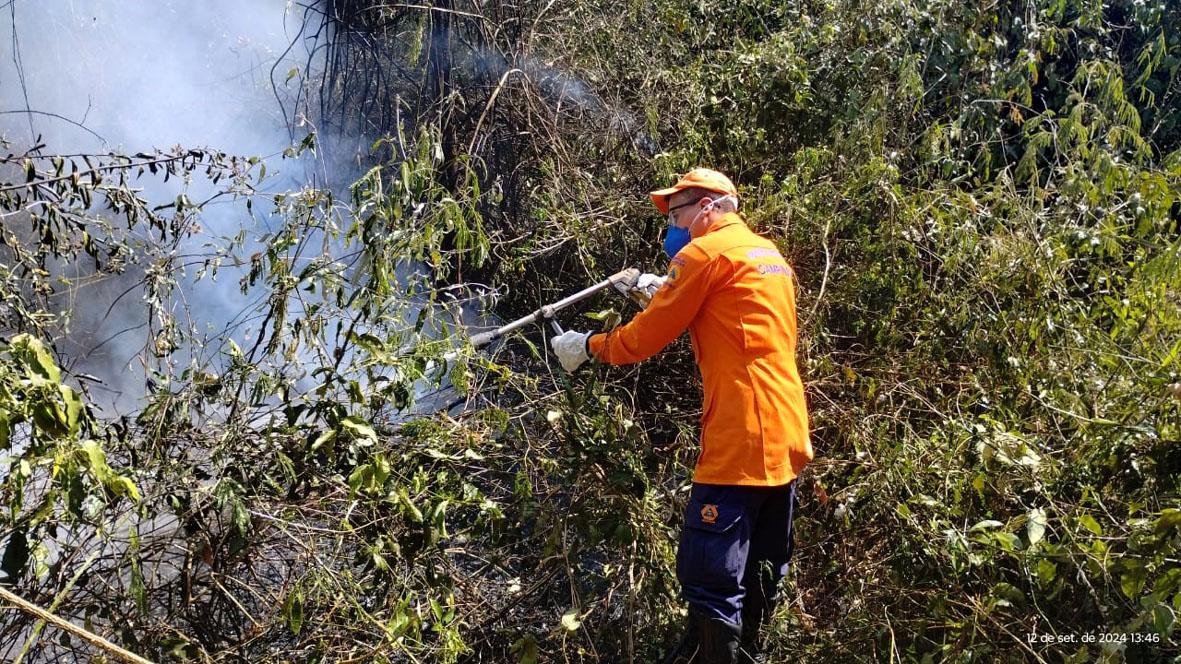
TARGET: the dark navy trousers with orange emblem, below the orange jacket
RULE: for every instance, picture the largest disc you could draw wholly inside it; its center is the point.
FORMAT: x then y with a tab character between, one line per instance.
735	549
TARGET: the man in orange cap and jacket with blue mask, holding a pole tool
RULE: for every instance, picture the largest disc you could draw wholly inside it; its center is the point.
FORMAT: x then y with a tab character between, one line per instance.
734	292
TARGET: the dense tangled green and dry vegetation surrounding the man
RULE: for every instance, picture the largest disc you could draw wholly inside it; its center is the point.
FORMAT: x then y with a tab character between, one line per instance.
981	203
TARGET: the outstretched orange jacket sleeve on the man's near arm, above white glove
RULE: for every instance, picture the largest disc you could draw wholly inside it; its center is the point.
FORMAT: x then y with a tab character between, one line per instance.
691	278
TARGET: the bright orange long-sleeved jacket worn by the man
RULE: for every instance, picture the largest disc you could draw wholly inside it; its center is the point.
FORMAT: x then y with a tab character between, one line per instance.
735	294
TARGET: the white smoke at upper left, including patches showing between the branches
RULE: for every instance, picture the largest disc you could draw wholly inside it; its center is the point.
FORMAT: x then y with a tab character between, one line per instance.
97	76
